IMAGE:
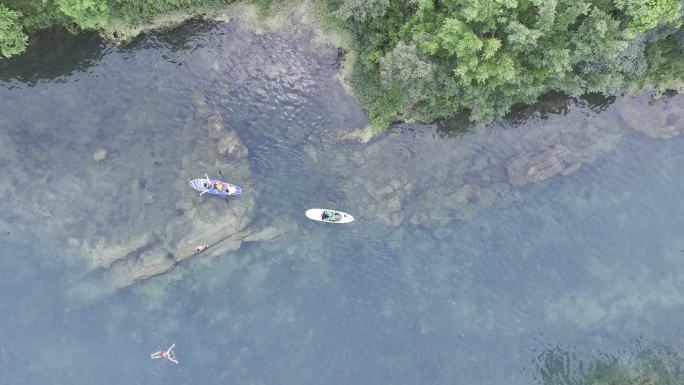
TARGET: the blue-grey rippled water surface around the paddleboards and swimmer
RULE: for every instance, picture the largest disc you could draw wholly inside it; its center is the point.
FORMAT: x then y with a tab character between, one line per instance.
506	282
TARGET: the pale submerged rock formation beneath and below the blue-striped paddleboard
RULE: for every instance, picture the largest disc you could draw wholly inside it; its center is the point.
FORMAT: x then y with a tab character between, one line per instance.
146	246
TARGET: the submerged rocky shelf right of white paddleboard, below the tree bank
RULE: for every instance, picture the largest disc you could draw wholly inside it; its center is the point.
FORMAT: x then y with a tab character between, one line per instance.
412	175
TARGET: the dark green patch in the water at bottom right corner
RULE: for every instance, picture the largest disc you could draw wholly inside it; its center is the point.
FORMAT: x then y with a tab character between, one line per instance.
643	364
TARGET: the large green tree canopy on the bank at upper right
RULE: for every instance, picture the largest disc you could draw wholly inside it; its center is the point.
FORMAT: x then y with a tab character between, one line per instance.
490	55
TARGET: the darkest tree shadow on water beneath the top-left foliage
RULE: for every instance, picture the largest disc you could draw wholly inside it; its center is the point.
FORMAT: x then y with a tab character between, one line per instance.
53	54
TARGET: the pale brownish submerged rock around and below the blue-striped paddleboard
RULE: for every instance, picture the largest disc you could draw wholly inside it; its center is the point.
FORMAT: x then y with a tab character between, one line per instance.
155	232
